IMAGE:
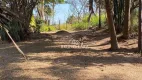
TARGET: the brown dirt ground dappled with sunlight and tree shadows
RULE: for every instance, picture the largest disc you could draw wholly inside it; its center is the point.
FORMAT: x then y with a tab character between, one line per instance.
58	56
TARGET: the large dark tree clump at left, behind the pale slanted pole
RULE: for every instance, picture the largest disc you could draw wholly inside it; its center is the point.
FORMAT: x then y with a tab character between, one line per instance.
18	27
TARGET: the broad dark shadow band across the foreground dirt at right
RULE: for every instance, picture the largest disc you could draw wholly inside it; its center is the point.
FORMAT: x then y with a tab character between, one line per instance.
85	61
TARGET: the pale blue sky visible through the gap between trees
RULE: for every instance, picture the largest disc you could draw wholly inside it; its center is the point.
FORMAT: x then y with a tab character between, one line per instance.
62	12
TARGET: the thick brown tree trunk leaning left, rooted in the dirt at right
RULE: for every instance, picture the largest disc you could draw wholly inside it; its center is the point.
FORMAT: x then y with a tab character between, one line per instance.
113	37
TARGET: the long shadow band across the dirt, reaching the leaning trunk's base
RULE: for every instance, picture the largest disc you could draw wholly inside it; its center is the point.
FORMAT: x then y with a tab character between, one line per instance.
42	46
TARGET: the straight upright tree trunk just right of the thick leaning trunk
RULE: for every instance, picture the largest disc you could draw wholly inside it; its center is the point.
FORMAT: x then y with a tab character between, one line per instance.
126	19
